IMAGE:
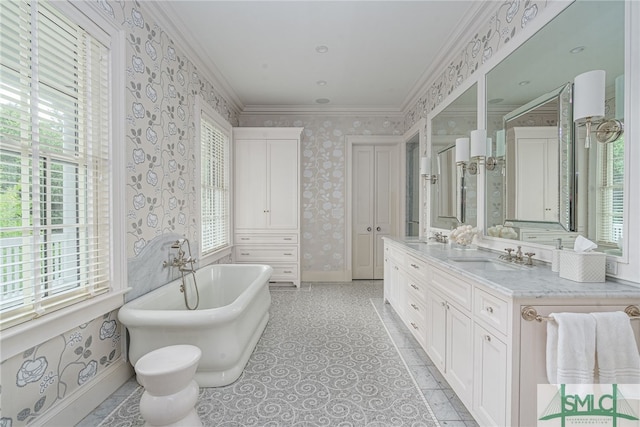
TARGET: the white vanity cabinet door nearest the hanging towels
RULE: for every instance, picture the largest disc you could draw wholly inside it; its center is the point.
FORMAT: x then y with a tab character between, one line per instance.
490	378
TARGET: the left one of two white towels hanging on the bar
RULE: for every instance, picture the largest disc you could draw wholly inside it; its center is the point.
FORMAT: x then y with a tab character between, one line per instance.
571	348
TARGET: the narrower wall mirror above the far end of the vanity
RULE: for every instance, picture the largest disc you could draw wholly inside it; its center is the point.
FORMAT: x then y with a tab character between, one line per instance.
453	196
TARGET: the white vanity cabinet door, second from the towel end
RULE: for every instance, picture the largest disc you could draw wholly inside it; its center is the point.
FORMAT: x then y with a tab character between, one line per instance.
459	355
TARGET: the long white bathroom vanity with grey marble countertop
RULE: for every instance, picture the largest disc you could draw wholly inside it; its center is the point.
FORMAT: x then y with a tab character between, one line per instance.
464	308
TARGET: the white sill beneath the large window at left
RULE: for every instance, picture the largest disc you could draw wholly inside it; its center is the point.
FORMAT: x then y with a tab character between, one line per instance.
19	338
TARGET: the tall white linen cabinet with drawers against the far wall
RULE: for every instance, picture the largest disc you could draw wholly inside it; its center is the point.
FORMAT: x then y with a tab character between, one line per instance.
267	199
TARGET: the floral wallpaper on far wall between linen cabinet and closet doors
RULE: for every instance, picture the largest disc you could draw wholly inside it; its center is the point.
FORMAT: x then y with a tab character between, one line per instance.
324	180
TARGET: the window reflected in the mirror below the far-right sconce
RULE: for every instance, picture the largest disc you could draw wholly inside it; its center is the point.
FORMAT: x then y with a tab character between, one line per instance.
610	192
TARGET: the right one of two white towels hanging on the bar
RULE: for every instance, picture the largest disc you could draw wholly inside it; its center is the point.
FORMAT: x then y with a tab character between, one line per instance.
616	349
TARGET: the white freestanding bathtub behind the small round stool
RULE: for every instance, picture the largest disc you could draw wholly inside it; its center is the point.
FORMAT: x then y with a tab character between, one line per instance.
231	316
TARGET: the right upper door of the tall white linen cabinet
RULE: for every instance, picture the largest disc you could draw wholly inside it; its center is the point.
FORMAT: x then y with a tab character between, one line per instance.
282	184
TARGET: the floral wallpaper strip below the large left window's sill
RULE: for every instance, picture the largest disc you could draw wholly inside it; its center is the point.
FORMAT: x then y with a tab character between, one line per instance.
39	378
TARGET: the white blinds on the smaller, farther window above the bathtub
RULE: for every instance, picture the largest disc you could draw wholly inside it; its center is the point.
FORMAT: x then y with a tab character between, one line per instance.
214	186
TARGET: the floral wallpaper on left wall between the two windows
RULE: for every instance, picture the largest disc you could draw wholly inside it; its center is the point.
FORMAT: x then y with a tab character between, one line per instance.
162	84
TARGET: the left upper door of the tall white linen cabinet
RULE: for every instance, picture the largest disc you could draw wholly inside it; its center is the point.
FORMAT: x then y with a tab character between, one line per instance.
250	184
